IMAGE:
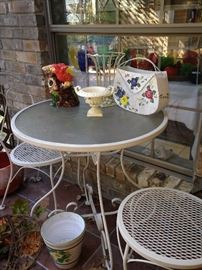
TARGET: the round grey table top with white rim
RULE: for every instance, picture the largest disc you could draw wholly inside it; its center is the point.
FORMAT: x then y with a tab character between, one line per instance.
69	129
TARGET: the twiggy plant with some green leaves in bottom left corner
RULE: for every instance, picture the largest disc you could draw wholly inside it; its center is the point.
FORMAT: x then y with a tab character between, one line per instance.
20	239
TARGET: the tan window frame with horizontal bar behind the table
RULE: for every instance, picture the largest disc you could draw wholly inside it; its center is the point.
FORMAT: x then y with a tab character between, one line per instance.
179	29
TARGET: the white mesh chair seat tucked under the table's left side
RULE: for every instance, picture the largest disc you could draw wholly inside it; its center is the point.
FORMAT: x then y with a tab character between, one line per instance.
29	155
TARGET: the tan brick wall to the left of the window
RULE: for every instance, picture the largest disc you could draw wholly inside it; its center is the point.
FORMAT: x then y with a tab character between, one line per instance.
23	49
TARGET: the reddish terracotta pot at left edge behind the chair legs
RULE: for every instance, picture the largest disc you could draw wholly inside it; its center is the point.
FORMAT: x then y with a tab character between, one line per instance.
5	173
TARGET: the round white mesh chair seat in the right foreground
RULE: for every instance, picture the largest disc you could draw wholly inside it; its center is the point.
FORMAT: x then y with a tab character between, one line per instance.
164	226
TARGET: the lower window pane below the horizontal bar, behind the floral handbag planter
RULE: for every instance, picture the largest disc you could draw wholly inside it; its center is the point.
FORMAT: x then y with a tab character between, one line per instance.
180	56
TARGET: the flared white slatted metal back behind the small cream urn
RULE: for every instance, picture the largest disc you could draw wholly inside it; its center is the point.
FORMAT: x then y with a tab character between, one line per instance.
105	66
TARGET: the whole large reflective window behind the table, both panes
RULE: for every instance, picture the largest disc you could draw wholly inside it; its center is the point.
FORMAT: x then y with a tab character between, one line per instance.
167	32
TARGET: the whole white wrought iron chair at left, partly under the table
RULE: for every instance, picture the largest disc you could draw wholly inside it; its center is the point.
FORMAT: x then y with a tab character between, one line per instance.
30	156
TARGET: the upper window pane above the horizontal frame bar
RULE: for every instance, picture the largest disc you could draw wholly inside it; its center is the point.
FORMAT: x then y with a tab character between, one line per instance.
125	11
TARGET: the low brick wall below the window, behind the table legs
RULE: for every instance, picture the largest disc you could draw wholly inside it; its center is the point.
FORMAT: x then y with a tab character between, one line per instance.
113	181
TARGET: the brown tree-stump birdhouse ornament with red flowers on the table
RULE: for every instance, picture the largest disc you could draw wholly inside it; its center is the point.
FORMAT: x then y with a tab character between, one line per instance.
59	80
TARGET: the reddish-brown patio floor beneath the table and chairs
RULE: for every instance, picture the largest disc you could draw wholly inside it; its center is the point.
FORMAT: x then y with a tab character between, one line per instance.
91	256
